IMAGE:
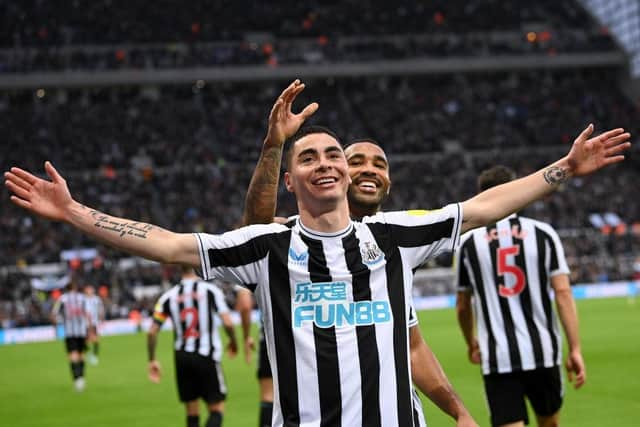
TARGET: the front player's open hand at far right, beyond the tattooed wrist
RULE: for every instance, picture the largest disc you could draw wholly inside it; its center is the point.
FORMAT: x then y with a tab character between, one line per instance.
589	155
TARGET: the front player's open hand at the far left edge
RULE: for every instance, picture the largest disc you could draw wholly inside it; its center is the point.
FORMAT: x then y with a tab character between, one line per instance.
50	199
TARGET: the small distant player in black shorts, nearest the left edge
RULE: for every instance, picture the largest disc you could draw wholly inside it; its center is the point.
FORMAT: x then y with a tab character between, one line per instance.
72	306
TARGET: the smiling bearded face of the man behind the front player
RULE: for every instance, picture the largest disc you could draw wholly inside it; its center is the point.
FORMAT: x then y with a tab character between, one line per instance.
369	171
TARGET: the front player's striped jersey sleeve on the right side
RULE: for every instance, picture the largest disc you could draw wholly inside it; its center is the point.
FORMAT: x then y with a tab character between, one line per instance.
424	234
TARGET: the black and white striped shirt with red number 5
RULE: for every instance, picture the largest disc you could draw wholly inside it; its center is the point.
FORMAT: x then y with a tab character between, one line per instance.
508	267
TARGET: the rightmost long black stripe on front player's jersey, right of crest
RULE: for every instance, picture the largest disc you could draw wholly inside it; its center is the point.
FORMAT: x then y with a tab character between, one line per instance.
385	237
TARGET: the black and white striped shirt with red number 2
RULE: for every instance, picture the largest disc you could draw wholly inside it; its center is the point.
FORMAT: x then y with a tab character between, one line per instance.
193	306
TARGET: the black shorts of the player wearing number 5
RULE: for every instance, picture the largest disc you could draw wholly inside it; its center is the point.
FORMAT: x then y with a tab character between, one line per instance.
506	394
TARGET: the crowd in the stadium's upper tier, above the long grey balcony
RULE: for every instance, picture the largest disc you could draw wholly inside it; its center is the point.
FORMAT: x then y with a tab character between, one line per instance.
37	36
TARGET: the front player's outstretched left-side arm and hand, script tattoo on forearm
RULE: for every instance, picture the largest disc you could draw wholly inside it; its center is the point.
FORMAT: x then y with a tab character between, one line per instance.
52	200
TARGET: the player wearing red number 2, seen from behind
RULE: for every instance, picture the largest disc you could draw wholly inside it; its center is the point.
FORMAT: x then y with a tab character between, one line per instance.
194	307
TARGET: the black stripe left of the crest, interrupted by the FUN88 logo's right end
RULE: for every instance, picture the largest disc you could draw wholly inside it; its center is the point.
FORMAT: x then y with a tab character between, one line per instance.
369	361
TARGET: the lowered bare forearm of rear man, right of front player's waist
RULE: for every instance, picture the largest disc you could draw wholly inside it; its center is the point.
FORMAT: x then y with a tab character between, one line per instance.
430	379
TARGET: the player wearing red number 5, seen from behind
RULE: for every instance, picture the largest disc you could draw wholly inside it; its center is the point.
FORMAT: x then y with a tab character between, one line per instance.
511	268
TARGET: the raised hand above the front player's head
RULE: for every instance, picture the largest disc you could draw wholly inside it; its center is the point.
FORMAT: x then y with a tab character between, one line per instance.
283	123
